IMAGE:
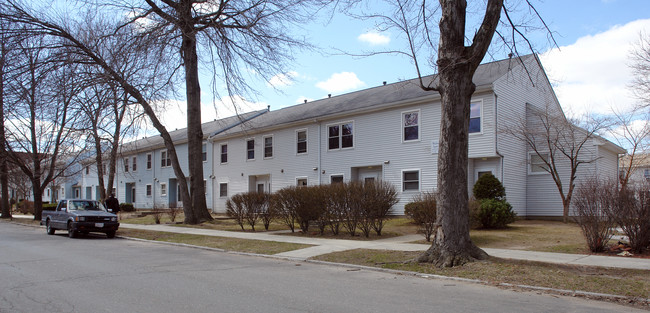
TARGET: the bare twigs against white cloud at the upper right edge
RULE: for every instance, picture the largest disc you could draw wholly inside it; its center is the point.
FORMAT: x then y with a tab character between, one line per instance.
640	65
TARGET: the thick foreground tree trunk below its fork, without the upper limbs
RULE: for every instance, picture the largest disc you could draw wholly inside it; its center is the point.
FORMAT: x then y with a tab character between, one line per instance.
452	245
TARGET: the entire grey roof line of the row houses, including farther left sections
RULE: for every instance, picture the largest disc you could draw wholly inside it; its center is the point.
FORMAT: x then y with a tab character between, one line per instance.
375	98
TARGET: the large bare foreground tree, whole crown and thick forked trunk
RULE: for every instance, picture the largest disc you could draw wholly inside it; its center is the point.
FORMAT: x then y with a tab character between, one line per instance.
454	52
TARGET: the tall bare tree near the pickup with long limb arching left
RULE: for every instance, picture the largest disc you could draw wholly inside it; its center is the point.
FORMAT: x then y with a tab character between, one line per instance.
235	35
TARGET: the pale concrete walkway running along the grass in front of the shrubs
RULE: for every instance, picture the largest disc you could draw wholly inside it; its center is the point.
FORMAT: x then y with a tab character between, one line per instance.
323	246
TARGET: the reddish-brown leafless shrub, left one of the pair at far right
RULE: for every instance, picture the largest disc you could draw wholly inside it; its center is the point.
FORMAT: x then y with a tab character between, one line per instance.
591	202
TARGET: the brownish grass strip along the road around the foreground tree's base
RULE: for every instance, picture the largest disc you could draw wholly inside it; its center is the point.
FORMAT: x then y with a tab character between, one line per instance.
633	283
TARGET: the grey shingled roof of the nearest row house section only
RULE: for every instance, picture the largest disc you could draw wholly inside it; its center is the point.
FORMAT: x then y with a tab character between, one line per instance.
404	92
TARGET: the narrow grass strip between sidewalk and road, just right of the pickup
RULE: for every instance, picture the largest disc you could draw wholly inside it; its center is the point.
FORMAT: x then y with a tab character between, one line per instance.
229	244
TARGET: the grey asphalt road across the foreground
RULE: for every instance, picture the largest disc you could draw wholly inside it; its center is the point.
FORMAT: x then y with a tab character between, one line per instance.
41	273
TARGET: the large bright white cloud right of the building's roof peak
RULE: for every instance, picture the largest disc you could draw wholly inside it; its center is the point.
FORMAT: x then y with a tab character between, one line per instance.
592	75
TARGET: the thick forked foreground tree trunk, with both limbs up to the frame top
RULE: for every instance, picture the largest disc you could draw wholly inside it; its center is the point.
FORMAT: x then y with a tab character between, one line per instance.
457	63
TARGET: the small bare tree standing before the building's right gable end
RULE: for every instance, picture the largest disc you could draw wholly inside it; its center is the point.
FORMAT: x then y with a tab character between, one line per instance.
560	146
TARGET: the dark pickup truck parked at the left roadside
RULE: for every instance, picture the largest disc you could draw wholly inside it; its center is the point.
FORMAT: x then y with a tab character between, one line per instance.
80	216
